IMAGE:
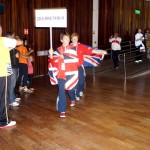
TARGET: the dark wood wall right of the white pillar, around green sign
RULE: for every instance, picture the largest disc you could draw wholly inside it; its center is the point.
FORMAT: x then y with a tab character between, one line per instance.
119	16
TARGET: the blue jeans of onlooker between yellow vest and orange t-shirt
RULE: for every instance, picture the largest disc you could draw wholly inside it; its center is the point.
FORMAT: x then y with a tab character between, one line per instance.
13	79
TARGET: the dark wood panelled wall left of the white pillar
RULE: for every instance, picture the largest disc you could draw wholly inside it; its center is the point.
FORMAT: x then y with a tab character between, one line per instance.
18	15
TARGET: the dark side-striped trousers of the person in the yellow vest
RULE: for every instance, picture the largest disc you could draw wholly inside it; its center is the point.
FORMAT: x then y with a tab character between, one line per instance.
4	98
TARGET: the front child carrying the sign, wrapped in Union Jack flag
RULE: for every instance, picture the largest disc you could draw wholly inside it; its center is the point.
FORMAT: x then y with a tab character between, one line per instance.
65	62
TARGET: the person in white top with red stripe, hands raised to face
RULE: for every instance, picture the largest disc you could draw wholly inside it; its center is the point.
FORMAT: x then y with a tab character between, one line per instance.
115	41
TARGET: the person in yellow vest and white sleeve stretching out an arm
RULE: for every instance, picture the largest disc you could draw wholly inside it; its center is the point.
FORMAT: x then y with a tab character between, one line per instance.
5	69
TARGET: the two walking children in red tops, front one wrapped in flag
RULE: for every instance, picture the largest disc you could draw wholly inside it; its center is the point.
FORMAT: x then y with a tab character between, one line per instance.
66	69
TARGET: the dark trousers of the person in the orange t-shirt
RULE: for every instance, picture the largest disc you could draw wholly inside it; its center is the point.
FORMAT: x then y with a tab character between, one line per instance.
23	74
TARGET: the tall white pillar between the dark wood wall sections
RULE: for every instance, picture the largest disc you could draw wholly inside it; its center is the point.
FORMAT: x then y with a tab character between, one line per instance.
95	23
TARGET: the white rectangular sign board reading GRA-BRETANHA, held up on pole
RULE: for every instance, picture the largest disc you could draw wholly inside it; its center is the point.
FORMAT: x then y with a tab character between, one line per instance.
51	17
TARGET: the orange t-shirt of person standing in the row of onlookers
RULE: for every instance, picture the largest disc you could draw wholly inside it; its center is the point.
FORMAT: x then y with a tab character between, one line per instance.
23	51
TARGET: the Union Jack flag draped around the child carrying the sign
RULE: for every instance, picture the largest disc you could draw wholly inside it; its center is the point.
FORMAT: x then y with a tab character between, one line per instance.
64	65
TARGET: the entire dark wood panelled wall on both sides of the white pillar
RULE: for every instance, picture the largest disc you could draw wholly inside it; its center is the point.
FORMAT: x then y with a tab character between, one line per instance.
114	16
